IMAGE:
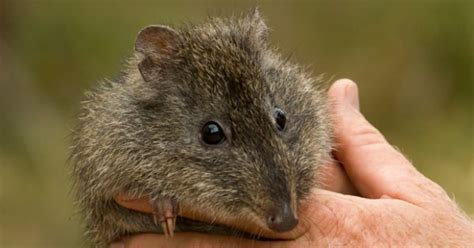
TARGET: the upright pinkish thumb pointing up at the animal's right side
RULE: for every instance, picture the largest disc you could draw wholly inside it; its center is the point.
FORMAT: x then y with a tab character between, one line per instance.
372	164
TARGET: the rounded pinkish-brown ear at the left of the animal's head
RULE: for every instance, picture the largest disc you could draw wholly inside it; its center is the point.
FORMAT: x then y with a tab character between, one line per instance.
156	44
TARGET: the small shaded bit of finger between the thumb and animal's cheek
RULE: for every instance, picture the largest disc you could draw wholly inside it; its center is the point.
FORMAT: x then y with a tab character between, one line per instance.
333	177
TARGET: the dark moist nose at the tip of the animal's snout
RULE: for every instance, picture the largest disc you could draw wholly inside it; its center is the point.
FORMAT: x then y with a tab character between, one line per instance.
282	218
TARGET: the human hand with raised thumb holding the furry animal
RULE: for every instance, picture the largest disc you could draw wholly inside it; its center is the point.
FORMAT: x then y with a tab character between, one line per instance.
396	204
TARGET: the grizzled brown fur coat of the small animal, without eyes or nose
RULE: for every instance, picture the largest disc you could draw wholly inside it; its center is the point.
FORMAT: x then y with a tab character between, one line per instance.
142	136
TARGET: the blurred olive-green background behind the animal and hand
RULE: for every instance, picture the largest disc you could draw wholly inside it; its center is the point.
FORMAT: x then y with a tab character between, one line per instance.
413	61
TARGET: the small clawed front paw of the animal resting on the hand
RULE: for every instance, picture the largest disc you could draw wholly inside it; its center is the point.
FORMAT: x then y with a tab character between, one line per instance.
165	210
